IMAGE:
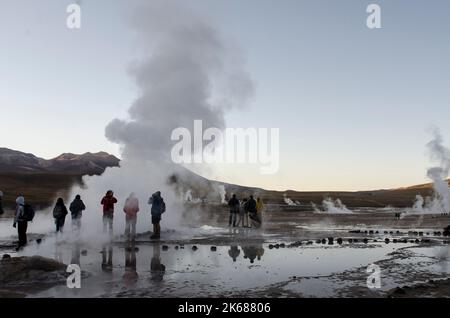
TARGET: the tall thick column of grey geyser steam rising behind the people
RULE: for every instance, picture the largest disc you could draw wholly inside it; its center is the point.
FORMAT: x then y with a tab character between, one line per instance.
187	72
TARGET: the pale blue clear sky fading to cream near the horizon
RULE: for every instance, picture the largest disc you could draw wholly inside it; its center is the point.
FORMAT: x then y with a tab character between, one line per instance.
353	104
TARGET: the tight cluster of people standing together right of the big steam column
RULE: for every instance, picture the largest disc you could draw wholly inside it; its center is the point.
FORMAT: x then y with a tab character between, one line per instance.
245	213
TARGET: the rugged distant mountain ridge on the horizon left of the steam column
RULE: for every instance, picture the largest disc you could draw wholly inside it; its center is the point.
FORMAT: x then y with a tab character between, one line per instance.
85	164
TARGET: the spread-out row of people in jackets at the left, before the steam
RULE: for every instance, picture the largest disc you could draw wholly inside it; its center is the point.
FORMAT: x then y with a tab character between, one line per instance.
24	213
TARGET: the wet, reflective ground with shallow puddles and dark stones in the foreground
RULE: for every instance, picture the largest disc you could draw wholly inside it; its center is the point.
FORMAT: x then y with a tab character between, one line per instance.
295	254
